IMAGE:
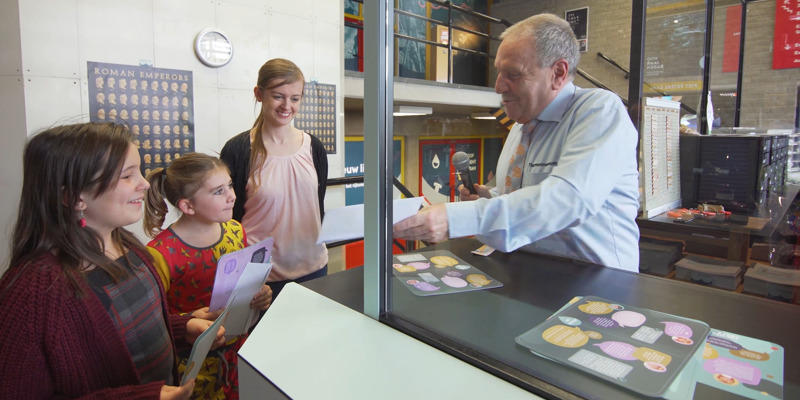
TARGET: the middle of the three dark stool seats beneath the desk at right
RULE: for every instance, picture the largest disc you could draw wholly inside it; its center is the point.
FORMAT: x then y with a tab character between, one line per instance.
723	274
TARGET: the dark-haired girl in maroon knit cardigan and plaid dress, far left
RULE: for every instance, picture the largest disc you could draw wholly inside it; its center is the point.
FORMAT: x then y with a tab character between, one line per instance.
82	309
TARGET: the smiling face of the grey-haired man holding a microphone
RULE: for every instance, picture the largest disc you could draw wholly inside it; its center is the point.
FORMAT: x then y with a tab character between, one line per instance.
526	88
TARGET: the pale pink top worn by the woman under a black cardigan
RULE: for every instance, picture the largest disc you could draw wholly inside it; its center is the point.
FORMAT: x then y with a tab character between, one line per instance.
286	207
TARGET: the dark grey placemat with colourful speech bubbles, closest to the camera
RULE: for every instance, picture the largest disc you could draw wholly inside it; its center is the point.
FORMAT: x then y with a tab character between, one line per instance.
640	349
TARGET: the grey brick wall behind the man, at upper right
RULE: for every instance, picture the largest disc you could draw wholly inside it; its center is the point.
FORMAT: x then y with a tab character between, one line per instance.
769	96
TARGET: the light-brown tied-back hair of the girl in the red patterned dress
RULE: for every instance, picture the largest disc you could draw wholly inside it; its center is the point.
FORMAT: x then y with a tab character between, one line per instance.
181	180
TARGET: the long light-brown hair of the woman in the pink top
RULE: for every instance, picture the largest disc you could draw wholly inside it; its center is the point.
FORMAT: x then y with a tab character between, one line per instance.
274	73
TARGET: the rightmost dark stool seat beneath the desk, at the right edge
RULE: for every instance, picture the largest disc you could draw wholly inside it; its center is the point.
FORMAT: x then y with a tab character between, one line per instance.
772	282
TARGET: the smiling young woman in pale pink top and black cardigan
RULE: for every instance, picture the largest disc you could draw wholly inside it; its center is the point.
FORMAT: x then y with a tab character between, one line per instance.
279	174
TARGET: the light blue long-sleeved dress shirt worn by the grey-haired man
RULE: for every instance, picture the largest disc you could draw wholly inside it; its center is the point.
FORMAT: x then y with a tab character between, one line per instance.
580	187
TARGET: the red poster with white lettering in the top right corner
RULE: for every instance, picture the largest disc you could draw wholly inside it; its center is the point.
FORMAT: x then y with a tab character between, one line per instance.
787	35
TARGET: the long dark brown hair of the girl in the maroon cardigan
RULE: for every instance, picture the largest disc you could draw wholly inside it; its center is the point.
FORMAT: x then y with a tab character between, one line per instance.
59	164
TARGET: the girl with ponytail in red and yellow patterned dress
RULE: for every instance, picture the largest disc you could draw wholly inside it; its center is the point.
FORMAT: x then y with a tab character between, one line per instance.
186	253
